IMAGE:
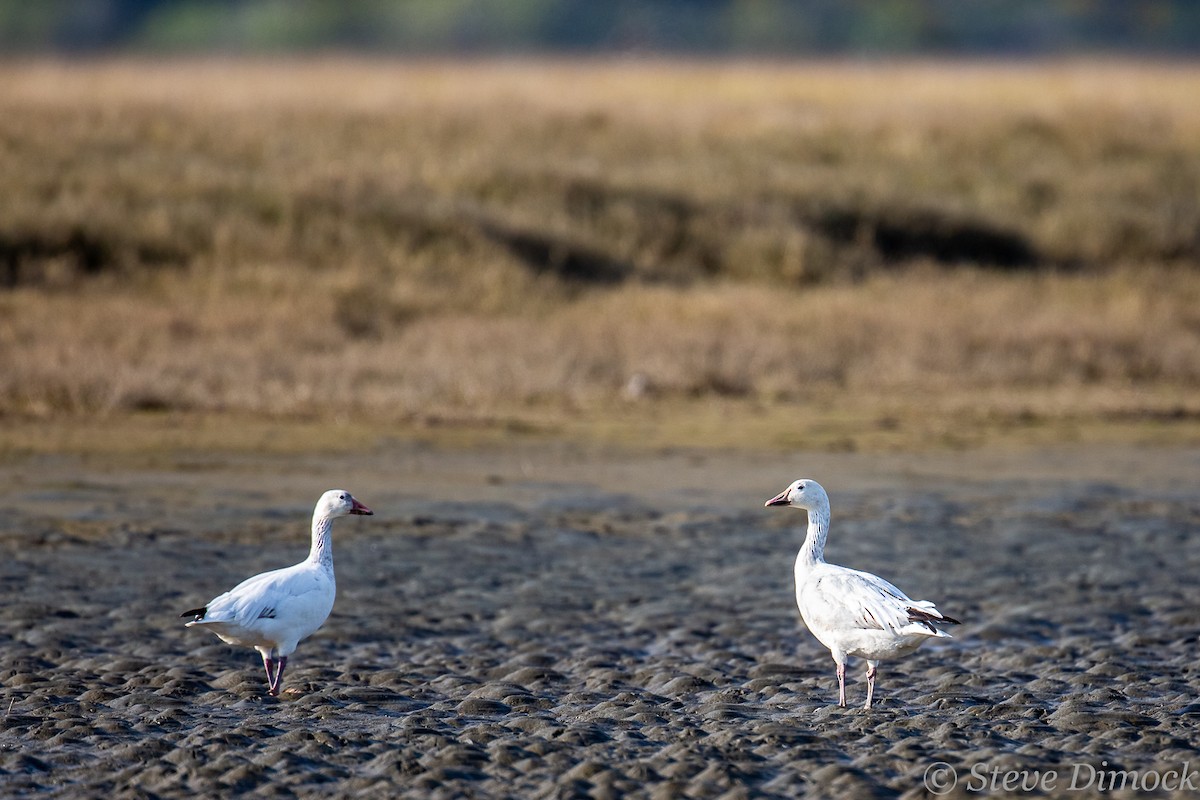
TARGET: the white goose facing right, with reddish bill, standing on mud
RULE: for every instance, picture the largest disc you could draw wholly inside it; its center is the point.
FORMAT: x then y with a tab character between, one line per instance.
274	611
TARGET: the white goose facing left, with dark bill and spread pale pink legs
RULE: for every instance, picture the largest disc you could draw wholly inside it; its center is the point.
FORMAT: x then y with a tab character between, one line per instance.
850	612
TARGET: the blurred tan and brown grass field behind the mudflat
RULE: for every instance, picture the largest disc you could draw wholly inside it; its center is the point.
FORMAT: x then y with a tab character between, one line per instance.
874	256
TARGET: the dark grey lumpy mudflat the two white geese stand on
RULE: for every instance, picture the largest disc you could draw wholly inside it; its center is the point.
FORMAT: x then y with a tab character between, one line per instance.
544	623
